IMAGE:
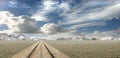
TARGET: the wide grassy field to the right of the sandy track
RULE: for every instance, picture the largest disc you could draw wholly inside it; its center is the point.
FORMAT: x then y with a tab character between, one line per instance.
88	49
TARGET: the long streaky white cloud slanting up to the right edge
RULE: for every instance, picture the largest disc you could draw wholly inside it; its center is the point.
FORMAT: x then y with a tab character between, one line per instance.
100	14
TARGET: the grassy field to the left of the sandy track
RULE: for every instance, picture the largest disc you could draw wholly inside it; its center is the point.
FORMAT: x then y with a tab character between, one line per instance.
9	48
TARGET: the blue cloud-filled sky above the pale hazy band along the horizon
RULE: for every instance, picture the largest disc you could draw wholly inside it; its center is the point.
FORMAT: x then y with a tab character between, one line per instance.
59	16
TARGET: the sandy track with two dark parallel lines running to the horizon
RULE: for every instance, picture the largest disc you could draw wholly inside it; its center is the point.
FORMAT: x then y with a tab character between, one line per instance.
40	50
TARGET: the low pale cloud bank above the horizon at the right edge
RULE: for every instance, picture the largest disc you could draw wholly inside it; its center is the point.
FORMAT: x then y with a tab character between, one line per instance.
114	34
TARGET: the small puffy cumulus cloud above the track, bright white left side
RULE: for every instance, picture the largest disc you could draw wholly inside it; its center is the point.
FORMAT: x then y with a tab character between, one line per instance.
51	28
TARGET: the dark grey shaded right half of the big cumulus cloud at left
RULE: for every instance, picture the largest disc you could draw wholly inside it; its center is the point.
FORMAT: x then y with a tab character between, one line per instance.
28	26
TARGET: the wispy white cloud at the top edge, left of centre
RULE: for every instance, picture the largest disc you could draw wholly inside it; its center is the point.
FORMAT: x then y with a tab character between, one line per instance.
50	6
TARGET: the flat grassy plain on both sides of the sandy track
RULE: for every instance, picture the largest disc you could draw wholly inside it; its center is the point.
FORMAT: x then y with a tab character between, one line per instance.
71	48
